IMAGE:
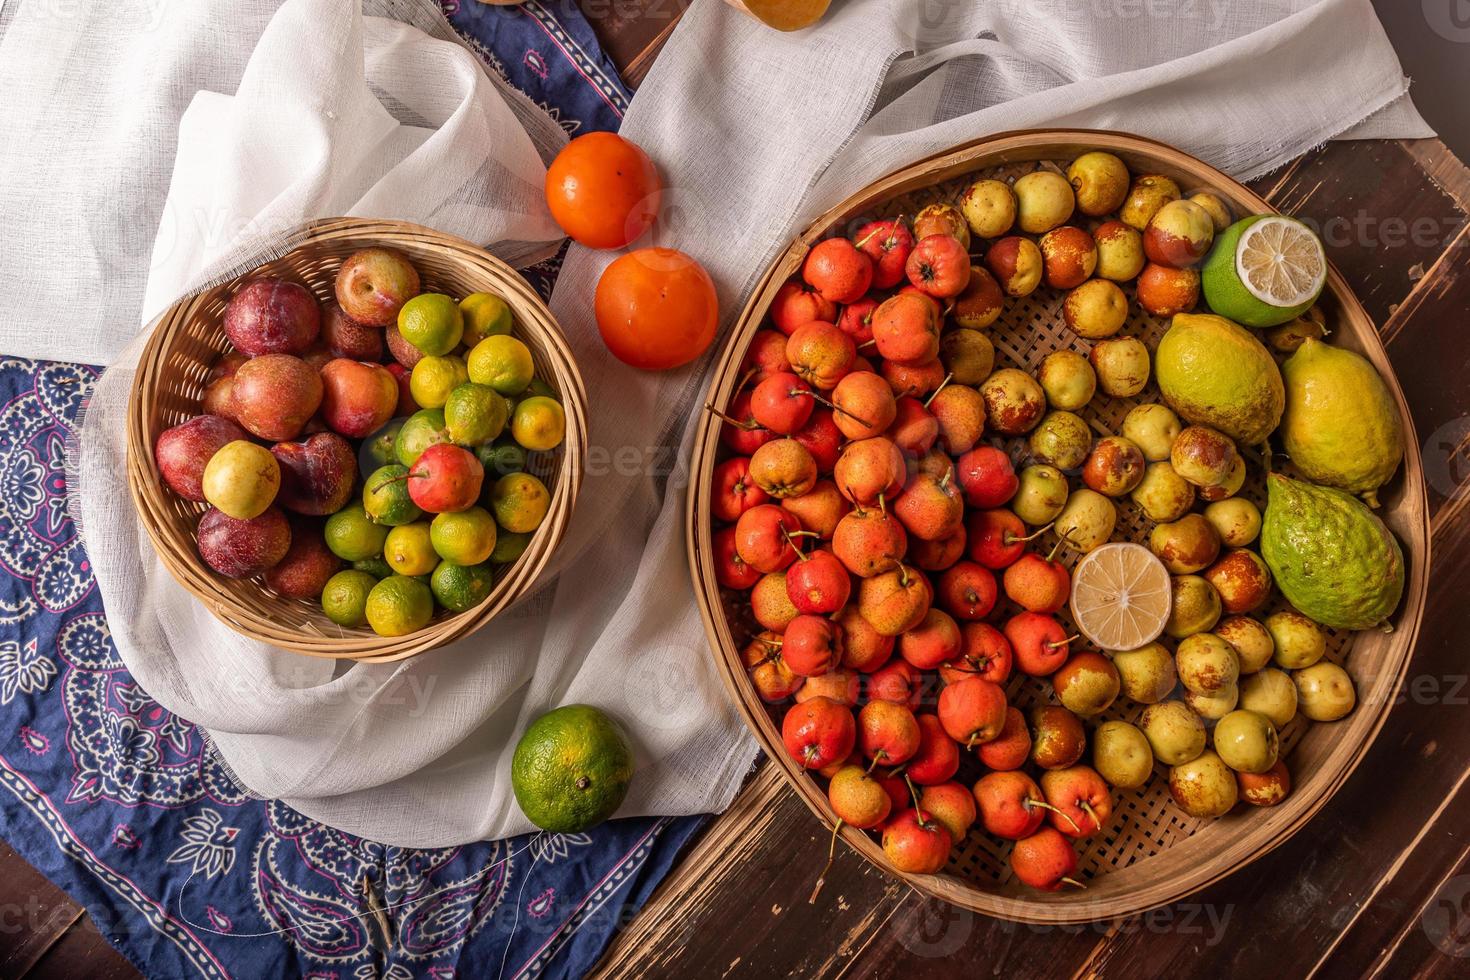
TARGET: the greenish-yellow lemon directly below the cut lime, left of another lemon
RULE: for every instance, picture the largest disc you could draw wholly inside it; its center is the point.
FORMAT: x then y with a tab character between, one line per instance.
1215	372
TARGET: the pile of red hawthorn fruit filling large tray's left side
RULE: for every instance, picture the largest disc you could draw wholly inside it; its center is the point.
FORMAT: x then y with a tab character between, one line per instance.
865	522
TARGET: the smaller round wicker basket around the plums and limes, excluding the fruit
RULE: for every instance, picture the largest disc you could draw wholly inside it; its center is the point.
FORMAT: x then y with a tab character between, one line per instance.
170	384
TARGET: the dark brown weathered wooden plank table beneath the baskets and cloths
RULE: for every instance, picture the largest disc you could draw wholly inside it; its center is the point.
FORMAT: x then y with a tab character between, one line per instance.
1380	884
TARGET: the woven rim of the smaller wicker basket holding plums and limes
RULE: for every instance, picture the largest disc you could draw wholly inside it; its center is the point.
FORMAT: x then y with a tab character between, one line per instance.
533	320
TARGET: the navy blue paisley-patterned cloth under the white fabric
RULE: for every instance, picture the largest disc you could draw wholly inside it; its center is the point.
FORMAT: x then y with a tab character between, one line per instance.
129	809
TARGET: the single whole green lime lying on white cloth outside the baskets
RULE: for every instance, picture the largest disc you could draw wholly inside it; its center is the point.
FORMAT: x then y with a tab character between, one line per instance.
571	769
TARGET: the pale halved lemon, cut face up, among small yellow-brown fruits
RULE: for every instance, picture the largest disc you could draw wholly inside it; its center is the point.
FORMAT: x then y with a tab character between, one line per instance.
1121	596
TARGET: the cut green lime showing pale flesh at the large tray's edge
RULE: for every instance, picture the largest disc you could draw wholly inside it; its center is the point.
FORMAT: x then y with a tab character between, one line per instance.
1265	271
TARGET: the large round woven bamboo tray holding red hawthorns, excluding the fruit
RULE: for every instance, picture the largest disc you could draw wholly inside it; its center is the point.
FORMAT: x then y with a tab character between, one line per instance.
1152	853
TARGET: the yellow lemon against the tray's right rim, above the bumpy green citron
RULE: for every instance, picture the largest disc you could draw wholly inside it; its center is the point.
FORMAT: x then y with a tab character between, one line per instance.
1341	425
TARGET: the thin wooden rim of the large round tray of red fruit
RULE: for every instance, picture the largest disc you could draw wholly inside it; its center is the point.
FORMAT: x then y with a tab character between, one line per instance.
1284	821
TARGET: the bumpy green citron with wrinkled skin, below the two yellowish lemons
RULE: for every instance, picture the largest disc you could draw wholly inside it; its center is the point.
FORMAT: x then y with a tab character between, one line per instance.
1331	556
